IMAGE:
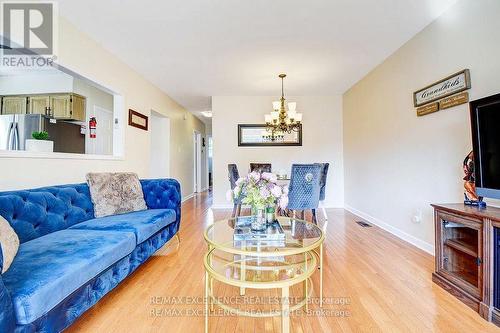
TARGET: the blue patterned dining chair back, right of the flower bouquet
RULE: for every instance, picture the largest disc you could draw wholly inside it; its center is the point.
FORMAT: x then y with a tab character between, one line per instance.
304	189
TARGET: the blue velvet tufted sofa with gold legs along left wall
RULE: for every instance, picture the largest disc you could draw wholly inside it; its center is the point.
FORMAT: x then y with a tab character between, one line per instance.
68	259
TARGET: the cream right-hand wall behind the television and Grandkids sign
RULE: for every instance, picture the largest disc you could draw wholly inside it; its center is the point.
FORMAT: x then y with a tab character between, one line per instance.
396	163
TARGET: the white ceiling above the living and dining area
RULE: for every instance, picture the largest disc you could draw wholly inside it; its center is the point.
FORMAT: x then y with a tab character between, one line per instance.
195	49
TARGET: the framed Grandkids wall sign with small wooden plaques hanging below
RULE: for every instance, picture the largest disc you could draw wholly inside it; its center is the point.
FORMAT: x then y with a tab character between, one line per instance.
443	94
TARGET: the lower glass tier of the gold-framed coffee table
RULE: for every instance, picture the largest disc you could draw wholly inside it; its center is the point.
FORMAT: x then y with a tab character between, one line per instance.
255	272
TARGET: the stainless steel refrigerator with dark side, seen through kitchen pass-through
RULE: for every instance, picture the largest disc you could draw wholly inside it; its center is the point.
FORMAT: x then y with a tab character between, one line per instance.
15	129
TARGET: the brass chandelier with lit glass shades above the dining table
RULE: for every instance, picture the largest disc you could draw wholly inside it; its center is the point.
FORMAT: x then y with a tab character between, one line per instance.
281	120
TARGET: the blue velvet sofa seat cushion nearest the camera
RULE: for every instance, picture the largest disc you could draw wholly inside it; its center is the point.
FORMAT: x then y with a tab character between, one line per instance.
48	269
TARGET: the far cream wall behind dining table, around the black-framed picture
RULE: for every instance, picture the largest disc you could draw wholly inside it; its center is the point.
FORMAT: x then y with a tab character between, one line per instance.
322	140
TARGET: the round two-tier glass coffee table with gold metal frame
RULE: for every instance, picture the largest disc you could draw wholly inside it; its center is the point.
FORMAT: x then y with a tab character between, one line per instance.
261	264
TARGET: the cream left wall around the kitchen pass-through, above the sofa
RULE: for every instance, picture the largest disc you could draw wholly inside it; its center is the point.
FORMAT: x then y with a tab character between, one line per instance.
84	56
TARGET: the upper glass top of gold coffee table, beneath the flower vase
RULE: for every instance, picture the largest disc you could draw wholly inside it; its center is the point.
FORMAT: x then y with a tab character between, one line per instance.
300	236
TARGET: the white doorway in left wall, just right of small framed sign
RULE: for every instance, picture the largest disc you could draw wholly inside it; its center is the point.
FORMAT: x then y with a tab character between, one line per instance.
160	146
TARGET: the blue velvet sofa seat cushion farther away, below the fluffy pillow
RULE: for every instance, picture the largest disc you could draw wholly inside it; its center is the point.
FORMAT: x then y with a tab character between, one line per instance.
143	224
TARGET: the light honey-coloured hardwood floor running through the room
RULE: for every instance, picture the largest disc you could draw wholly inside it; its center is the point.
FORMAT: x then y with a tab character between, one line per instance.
386	281
